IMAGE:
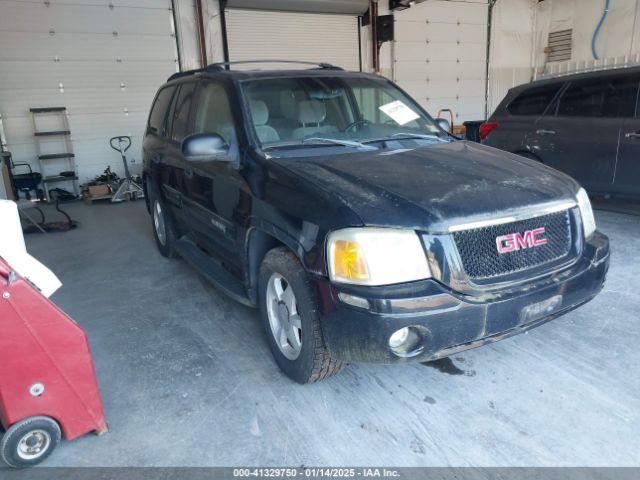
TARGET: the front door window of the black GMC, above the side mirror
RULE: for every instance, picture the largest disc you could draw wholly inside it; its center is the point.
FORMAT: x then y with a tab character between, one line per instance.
214	112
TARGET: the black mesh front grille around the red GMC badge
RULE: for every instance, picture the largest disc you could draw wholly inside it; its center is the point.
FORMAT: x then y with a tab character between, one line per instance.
479	252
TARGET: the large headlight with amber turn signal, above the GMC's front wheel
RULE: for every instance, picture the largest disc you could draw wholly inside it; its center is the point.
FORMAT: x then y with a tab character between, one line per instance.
376	256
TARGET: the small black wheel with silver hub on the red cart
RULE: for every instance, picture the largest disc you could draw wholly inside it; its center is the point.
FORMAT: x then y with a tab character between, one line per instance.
29	442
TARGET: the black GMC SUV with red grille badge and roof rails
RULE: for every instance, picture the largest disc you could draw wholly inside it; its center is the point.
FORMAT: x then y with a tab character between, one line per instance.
359	226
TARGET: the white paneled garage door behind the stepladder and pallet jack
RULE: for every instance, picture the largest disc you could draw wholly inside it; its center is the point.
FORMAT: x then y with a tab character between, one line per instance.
101	60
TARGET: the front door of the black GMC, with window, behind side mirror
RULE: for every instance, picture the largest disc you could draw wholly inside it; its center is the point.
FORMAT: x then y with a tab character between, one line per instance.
217	193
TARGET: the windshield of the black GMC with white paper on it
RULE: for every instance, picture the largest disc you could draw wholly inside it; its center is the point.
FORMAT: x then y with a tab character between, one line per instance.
335	112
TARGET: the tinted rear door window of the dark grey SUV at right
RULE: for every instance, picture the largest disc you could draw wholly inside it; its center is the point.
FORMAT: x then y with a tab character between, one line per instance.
601	97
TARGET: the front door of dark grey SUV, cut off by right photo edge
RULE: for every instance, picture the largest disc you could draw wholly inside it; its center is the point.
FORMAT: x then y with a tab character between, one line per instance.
627	173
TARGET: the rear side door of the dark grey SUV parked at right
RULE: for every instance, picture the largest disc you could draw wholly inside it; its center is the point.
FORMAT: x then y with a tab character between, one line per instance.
580	136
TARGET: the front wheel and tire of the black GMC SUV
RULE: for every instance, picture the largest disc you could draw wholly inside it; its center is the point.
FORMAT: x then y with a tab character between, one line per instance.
290	316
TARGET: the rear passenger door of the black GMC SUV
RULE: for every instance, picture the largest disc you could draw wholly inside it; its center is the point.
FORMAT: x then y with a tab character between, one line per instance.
174	188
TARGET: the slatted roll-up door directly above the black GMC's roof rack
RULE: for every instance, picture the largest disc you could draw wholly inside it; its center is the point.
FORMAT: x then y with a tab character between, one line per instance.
316	37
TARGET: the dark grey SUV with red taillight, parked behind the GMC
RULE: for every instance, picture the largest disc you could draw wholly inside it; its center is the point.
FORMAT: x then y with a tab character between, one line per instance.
586	125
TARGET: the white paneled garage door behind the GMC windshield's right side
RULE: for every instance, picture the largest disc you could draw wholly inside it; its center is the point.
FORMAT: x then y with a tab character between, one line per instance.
440	56
